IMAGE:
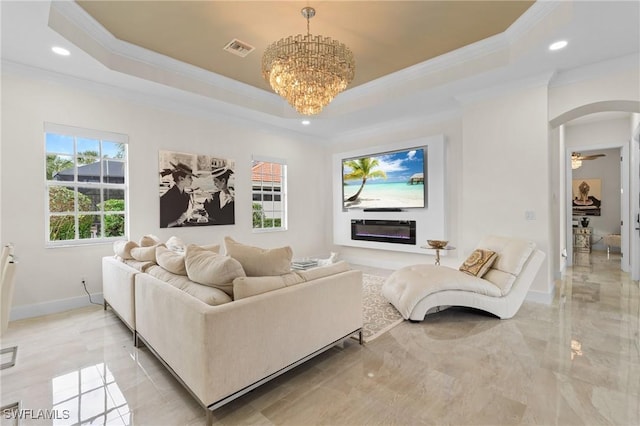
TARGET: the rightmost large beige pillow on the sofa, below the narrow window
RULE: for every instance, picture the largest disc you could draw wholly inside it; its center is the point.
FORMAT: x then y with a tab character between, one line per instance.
258	262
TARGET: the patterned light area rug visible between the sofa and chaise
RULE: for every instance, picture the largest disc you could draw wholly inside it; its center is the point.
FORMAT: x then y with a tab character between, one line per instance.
378	315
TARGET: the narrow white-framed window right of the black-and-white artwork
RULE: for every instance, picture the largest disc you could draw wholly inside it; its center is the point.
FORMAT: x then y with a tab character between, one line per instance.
269	193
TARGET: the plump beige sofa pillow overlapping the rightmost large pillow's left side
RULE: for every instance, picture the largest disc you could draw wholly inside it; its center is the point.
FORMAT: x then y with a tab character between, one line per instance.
212	269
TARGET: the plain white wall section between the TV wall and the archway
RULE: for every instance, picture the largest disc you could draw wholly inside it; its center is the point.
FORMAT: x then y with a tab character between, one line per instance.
505	173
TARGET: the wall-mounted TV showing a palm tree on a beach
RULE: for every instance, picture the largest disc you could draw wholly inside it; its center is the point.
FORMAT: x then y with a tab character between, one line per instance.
386	180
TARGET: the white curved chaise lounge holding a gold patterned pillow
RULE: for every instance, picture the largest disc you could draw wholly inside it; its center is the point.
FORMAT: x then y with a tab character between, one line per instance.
419	290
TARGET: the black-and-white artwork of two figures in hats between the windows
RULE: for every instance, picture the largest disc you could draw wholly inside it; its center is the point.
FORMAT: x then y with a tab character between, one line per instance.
196	190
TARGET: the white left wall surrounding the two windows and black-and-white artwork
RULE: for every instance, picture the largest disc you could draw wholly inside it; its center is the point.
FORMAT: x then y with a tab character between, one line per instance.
49	279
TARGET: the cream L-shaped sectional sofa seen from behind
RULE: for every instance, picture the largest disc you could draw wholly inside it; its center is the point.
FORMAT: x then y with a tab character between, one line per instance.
221	348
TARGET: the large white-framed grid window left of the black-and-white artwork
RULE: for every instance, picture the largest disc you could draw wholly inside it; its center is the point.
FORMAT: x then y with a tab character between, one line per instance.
86	185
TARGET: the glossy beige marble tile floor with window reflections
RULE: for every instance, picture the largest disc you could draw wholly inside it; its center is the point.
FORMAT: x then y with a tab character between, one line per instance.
576	361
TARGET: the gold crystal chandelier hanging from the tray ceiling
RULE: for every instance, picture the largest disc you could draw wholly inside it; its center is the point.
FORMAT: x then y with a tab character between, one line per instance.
308	71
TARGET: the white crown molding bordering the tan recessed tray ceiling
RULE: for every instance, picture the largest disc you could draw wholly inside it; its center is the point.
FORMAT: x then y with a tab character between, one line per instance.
485	55
